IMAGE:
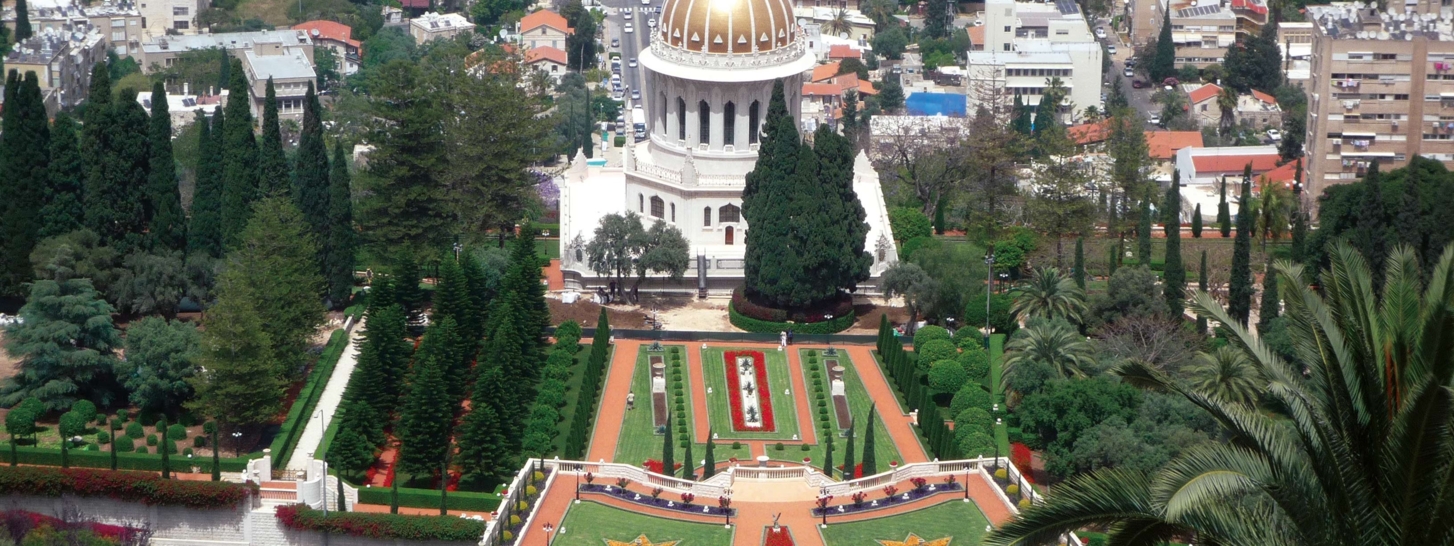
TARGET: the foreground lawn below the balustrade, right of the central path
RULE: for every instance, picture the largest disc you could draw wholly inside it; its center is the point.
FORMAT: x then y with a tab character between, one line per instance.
963	522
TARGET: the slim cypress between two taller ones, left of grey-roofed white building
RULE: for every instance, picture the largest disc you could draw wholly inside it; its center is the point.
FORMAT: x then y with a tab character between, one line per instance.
206	232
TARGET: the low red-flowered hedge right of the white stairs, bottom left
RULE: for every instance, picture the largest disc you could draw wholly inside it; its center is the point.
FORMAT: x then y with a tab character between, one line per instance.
380	526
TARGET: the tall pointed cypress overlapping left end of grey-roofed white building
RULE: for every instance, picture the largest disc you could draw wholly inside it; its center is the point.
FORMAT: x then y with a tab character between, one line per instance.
239	160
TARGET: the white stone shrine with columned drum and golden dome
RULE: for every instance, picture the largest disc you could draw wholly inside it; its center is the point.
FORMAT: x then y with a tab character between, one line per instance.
709	76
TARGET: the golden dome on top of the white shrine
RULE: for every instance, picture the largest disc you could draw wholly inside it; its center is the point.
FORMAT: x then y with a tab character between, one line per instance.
728	27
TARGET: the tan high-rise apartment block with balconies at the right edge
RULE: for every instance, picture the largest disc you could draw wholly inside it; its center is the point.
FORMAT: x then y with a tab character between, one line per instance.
1381	89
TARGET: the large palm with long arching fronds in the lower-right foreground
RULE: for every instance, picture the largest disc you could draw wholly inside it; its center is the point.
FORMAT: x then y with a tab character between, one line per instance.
1354	448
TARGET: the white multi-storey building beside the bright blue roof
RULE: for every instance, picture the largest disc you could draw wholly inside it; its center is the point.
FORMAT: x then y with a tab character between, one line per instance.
1027	46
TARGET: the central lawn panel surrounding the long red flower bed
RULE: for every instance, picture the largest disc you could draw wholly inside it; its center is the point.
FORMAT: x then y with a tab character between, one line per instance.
719	409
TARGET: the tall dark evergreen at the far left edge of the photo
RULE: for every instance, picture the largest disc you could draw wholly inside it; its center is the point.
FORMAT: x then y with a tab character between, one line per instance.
25	150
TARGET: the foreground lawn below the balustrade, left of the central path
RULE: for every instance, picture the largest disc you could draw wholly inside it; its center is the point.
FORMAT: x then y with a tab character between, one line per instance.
593	523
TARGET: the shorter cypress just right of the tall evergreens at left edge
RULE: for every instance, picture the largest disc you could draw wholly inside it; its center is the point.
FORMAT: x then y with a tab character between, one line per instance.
63	210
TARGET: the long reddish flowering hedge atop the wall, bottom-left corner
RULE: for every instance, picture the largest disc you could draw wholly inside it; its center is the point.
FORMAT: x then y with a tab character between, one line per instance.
143	487
